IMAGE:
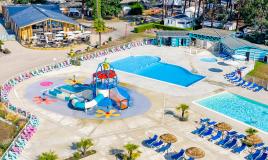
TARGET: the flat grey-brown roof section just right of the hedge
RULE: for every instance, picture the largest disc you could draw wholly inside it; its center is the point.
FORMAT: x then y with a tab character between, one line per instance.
213	32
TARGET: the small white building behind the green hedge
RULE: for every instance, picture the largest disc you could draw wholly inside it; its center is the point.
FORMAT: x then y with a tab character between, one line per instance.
180	21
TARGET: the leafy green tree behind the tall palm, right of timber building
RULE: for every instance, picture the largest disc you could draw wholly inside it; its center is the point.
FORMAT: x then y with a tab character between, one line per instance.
108	7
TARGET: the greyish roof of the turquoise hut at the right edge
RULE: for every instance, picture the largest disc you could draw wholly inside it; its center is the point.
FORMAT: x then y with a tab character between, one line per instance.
237	43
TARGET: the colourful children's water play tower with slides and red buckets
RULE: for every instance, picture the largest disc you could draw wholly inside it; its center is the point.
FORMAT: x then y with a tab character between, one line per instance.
103	92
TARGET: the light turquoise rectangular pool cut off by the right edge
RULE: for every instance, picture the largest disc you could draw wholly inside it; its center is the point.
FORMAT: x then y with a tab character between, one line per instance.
239	108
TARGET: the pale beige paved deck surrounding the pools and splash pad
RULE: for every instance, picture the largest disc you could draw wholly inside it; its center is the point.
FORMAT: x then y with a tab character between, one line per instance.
110	135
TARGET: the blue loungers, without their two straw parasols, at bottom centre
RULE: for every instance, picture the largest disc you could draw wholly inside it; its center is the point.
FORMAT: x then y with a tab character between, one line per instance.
161	147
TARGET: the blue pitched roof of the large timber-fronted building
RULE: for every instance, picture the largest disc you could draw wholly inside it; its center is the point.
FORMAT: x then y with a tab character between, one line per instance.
36	14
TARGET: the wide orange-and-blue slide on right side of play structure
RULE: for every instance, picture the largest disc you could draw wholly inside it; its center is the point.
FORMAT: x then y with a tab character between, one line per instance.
118	98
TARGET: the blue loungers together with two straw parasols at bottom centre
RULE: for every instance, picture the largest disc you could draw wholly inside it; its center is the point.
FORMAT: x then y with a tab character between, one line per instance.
163	144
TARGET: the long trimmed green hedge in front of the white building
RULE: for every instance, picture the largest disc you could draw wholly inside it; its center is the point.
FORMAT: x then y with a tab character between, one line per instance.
143	27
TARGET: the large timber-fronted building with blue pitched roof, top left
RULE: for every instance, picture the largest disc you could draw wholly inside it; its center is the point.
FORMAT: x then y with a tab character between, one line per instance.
28	20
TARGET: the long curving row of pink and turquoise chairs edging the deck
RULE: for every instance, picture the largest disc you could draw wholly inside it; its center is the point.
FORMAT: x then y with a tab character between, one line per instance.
19	143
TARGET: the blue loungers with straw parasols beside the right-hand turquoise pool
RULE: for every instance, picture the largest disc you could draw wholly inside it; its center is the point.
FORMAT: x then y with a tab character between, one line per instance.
222	135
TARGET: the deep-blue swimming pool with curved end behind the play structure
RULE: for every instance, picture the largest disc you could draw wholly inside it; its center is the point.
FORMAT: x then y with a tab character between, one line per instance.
152	67
